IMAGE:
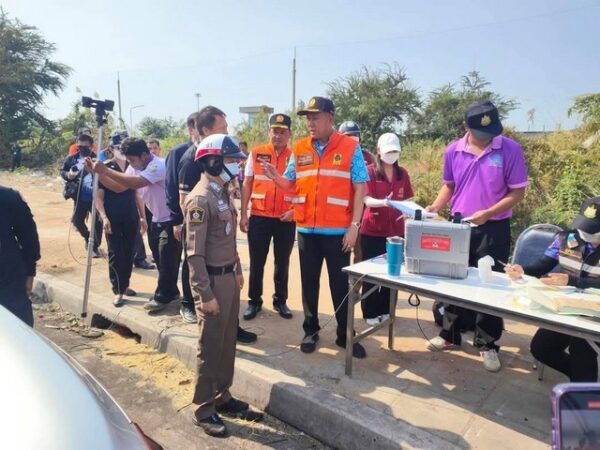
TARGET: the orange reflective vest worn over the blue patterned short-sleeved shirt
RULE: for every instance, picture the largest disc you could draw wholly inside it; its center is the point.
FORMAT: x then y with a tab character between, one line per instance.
324	191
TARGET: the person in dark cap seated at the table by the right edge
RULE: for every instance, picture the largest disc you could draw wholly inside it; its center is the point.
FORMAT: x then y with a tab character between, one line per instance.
577	253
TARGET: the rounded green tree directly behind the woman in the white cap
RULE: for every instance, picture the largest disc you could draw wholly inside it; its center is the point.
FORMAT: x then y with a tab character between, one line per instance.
379	100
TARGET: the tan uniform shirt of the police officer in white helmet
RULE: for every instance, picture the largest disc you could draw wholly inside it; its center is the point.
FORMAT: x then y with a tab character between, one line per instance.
211	224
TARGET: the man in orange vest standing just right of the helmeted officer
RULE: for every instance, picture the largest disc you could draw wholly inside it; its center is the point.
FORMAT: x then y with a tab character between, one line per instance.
271	217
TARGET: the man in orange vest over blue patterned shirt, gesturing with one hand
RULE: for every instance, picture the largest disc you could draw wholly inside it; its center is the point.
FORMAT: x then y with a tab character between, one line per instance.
328	174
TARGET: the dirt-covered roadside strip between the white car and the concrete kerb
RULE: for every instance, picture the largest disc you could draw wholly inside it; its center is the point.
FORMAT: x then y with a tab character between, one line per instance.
155	389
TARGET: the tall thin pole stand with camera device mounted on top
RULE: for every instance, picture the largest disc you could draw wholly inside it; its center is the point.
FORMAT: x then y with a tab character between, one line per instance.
102	108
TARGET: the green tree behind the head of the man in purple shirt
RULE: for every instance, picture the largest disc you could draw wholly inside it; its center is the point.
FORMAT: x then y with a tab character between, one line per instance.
443	113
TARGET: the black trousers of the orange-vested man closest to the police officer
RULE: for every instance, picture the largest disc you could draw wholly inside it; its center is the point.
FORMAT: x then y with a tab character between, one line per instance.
260	232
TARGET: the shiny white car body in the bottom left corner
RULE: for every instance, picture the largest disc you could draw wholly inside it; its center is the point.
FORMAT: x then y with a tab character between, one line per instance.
49	401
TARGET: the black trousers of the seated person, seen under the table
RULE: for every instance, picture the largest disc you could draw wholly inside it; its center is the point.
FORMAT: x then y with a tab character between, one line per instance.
580	364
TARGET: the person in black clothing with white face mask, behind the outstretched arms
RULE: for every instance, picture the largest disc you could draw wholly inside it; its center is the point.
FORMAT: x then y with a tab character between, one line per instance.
122	223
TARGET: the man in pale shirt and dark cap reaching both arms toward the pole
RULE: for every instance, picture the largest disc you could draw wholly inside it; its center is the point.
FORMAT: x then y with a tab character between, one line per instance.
147	173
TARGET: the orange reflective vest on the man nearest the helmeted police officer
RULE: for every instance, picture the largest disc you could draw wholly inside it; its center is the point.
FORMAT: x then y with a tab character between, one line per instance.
267	199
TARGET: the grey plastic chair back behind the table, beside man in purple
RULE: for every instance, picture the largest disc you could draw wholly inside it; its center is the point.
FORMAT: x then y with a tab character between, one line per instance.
529	248
